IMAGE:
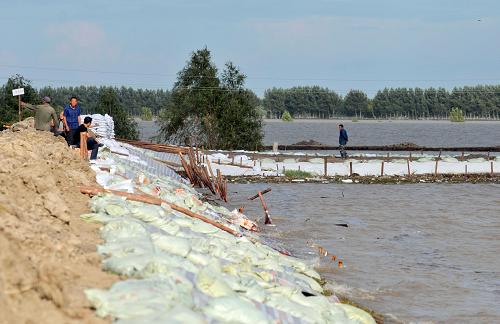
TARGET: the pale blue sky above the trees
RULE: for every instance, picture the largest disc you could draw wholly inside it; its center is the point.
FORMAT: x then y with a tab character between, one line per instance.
339	44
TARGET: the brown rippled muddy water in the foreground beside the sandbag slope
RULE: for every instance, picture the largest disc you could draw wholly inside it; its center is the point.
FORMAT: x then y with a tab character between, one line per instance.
421	252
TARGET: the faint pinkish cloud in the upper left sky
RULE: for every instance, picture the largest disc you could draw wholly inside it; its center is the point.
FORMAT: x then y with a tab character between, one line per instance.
81	42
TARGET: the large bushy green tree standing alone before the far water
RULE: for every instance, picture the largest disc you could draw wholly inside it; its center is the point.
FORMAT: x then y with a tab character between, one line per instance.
212	111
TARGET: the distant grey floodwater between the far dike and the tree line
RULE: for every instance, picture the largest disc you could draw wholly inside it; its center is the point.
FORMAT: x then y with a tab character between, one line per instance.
423	133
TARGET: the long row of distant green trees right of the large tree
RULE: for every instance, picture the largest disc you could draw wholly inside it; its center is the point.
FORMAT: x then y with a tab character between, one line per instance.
413	103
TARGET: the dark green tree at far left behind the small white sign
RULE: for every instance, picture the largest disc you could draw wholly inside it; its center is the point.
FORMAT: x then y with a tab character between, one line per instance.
9	107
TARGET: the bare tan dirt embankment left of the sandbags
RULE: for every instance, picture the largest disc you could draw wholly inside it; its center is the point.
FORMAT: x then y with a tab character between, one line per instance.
47	254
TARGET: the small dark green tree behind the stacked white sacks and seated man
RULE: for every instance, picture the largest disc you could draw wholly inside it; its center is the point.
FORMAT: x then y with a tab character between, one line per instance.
108	103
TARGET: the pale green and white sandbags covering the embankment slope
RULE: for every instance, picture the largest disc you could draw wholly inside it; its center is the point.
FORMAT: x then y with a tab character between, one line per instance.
183	270
